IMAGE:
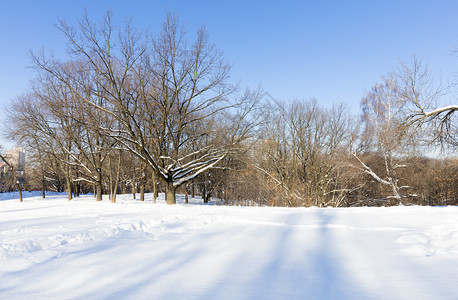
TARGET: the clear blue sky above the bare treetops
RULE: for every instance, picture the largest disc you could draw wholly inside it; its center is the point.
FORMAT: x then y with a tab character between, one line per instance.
333	51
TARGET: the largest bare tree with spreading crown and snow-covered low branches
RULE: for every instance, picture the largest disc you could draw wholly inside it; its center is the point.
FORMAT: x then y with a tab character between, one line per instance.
163	97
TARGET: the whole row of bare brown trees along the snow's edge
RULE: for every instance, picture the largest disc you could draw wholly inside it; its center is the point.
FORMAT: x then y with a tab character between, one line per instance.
129	113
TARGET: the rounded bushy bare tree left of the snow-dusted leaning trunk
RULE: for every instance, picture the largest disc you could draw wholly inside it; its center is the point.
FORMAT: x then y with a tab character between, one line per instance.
303	152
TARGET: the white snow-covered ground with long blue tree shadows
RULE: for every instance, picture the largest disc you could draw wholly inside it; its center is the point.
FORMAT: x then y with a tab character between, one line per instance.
57	249
